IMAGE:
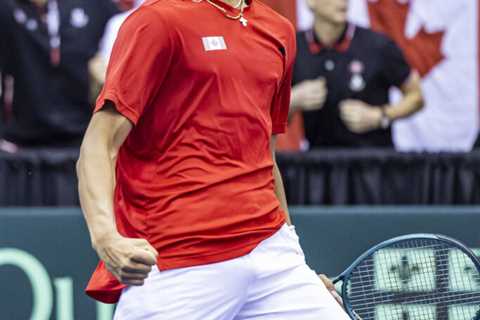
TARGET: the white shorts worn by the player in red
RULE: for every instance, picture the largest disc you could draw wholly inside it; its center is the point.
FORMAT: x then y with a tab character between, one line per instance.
272	282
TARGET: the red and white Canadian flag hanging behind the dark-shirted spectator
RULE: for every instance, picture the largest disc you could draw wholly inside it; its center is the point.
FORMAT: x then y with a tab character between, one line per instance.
440	39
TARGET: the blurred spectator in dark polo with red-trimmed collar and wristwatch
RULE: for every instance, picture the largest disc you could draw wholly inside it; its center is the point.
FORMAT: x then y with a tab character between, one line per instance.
342	80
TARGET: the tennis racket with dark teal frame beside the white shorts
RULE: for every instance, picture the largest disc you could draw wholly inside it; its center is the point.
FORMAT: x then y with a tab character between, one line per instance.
413	277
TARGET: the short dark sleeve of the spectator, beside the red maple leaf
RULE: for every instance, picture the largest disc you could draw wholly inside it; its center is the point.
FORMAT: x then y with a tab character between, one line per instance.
396	68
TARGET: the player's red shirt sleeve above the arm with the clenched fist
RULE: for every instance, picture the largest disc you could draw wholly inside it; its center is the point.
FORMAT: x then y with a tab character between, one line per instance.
139	62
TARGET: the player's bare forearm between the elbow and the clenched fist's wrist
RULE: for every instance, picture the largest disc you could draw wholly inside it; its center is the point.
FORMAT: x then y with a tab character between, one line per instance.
96	185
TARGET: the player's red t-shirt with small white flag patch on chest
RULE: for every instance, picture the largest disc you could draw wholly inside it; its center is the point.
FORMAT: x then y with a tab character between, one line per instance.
205	93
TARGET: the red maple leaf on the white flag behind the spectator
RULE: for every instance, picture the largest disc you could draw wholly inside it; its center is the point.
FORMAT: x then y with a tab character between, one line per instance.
423	51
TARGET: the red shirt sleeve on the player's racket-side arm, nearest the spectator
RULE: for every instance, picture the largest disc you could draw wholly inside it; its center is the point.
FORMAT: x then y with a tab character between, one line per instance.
281	101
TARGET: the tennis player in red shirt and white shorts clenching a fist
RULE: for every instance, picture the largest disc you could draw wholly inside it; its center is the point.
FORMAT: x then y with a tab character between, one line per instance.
177	176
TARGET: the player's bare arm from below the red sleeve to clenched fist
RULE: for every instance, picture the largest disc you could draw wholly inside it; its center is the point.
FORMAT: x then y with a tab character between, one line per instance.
130	260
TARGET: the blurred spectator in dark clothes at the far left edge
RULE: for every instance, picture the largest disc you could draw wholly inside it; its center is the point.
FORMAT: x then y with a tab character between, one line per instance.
46	45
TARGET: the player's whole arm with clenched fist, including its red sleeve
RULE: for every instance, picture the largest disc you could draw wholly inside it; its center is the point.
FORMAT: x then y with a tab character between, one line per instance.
137	69
